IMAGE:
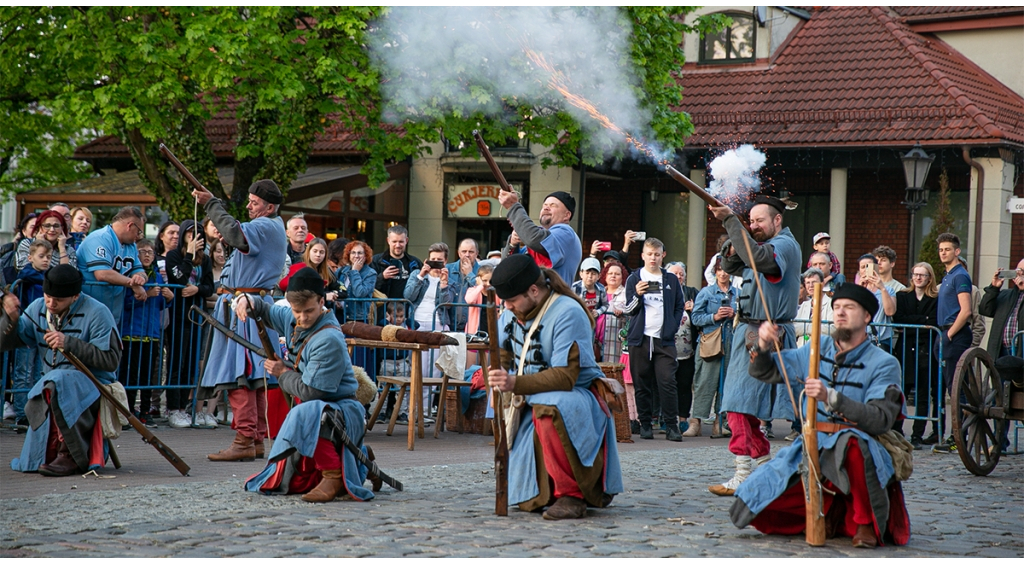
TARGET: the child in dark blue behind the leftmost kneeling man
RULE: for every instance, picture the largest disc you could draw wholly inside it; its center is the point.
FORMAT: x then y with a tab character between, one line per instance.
28	366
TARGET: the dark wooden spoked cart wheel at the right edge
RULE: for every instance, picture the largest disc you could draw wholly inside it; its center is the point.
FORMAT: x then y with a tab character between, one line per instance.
976	391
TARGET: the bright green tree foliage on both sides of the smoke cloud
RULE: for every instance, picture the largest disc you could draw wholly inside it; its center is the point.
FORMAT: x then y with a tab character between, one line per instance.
152	75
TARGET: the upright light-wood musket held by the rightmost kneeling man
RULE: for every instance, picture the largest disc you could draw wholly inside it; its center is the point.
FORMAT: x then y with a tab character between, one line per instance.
816	533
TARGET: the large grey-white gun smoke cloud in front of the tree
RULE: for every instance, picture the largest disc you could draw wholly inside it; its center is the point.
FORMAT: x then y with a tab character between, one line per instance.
438	61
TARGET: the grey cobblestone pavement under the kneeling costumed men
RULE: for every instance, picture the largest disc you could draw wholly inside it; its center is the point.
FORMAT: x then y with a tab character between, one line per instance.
447	509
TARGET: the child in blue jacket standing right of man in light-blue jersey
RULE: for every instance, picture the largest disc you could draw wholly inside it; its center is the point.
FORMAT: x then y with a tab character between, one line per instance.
141	331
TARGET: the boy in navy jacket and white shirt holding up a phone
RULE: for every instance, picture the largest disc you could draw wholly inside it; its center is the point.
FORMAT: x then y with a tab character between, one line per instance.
656	312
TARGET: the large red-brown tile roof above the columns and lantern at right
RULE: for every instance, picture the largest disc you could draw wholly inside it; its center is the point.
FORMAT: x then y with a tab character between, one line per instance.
854	76
